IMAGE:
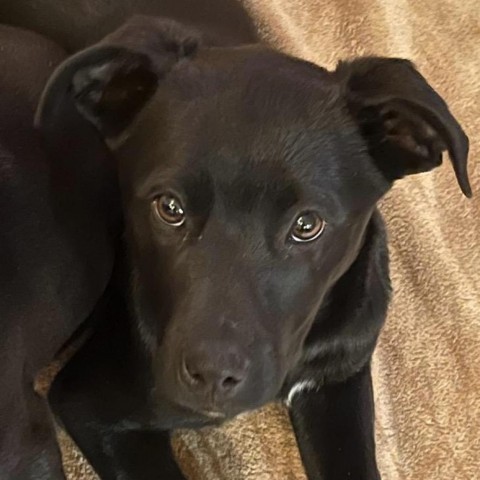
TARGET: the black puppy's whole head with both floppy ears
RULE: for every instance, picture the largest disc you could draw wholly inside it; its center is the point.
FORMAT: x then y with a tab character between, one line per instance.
248	179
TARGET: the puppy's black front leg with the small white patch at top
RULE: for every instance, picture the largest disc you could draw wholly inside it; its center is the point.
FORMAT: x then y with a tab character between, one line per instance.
334	426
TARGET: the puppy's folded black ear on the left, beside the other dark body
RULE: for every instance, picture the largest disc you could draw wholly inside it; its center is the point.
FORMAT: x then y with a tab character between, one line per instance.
109	83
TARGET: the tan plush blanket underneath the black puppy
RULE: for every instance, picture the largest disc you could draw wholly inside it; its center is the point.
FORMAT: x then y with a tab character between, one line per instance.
427	364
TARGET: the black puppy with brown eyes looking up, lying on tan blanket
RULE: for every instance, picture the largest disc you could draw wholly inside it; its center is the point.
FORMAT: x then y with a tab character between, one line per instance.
255	258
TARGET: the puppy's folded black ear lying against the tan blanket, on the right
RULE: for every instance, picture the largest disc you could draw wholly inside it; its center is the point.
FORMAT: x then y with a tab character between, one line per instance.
406	123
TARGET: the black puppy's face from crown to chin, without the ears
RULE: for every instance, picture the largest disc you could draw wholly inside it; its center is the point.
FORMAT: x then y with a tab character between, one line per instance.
246	196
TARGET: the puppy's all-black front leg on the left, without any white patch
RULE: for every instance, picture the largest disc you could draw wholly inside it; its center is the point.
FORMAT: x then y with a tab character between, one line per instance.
101	402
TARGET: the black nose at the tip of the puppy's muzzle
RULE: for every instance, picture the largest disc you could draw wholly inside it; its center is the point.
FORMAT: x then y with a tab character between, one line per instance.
213	373
